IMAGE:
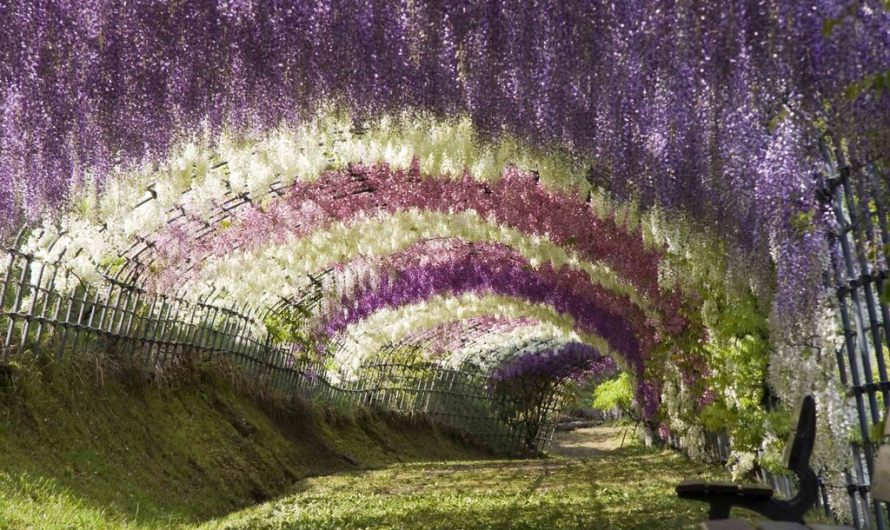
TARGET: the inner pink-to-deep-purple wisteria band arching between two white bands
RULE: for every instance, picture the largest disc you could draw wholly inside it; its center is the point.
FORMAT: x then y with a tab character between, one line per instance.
453	267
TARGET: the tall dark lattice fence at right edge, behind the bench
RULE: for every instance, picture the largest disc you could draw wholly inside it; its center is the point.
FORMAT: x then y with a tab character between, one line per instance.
856	196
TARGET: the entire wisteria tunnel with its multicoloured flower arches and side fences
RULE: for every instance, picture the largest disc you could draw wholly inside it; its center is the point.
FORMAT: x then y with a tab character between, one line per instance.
459	210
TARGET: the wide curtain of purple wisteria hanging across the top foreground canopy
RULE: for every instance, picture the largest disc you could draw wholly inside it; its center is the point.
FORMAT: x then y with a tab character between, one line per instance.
99	81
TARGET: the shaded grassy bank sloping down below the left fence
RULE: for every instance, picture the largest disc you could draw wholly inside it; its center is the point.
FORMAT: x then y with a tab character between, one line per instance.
90	446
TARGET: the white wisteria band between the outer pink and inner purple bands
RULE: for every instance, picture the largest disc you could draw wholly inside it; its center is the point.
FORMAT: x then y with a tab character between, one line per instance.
257	274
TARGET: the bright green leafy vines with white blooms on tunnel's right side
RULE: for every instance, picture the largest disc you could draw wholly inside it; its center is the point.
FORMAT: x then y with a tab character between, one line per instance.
731	339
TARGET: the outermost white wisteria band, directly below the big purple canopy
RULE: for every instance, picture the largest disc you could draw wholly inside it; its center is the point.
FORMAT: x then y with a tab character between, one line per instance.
198	176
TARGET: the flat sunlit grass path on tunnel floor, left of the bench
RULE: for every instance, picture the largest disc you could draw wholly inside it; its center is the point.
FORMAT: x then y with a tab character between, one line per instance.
629	488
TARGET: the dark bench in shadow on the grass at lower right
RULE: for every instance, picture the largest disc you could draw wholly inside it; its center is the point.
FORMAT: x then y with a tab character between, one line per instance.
723	496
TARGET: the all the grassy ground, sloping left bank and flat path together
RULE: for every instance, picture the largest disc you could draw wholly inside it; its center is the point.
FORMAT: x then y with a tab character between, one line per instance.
91	445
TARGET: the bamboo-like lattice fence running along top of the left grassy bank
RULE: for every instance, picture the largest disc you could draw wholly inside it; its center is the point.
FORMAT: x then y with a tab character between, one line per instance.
46	309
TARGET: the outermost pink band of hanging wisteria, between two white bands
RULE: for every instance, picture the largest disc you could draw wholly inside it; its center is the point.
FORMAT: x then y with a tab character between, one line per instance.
516	200
